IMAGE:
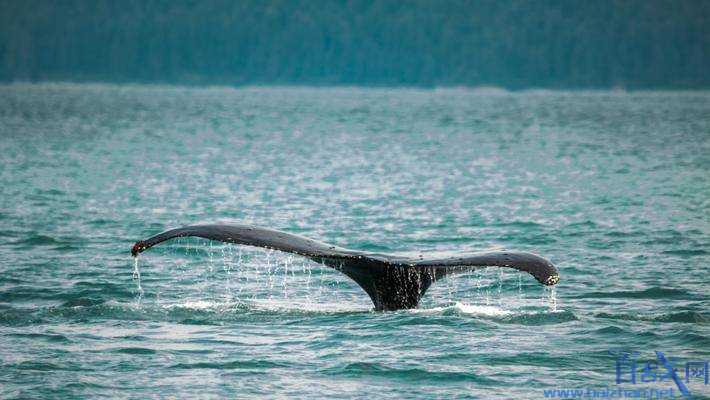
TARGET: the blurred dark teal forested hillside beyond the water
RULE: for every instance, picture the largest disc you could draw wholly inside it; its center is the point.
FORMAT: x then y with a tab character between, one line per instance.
513	44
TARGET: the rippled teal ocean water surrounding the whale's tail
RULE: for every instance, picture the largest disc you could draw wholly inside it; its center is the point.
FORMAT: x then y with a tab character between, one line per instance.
612	187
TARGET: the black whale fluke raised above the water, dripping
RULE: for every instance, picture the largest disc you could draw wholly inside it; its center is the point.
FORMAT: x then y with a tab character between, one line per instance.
392	282
